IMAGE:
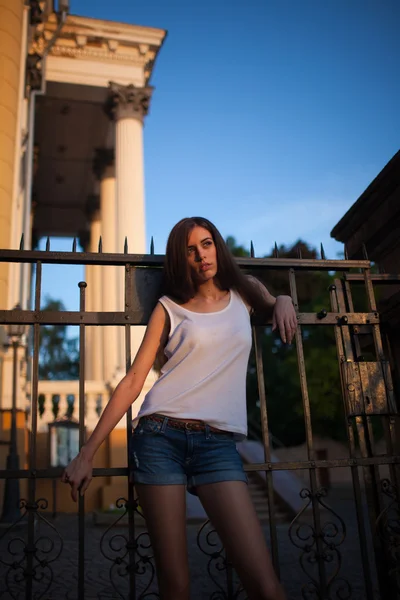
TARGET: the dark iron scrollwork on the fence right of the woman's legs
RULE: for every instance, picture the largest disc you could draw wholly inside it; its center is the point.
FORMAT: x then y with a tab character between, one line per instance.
331	535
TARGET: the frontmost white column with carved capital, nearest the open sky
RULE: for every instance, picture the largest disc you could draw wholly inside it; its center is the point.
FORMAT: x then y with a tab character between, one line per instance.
128	105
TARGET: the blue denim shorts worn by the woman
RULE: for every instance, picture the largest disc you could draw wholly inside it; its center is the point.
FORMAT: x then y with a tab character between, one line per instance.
162	455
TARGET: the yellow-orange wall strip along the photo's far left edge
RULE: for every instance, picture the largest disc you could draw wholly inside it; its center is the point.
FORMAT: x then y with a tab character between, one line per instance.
11	17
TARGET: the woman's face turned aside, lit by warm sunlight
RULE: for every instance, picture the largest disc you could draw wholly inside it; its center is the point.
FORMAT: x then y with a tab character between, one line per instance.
202	254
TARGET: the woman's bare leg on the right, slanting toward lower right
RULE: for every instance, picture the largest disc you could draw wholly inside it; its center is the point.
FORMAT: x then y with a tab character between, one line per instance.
231	511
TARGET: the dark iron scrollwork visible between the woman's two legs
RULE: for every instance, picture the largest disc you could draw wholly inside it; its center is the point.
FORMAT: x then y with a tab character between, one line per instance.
210	544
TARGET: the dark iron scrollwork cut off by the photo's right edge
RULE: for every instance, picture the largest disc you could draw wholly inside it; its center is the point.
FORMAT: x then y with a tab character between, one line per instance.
388	528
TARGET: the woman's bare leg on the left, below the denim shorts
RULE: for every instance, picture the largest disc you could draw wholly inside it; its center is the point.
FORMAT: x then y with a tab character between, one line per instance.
164	508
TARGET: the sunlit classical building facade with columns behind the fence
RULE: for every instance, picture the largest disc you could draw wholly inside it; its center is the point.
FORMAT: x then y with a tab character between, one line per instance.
74	94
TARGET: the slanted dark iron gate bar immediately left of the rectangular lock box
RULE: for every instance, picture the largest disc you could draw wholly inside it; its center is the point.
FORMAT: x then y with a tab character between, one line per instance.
338	303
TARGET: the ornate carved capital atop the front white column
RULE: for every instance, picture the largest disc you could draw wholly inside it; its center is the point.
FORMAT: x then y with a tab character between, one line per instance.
128	101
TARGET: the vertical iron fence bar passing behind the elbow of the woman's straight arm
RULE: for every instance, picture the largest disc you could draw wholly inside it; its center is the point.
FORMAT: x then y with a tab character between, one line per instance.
131	499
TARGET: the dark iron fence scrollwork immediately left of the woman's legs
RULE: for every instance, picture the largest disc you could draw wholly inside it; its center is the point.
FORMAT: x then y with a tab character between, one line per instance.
116	550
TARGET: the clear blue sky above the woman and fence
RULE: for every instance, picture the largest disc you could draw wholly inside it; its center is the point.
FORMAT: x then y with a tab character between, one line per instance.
269	117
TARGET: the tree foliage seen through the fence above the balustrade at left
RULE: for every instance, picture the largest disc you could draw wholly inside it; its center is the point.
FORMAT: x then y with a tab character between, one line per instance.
58	354
